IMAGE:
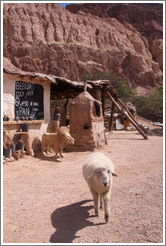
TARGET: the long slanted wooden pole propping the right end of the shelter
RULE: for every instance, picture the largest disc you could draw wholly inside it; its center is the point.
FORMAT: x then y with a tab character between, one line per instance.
127	115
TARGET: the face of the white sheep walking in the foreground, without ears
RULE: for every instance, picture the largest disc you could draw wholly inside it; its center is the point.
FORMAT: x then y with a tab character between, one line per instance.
103	176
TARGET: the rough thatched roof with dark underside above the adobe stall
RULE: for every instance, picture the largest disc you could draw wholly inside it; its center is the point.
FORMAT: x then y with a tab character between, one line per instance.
60	86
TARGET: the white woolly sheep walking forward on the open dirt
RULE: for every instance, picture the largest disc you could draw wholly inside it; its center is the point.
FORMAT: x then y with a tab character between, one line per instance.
98	171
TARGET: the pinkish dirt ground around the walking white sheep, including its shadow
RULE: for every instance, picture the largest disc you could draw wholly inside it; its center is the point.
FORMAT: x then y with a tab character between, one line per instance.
47	200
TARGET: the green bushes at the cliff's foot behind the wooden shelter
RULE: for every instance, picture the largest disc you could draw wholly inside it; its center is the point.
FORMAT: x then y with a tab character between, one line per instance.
150	107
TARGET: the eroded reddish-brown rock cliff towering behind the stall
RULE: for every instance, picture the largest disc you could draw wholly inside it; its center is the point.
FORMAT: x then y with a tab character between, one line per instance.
50	39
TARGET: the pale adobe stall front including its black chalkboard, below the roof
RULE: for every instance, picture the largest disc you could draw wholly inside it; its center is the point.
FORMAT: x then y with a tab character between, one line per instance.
23	108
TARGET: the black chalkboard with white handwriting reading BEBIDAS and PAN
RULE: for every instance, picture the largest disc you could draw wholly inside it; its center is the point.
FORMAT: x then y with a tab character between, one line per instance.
29	101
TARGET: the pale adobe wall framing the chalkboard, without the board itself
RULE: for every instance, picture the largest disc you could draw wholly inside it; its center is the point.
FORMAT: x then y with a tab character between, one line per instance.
36	128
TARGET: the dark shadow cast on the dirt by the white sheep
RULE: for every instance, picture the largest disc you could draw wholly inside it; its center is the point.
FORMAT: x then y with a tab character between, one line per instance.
69	220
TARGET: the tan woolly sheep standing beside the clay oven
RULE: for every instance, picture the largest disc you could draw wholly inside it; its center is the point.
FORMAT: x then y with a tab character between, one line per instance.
58	140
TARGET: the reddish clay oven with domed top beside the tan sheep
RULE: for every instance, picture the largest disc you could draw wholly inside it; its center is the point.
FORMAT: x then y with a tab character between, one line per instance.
86	122
